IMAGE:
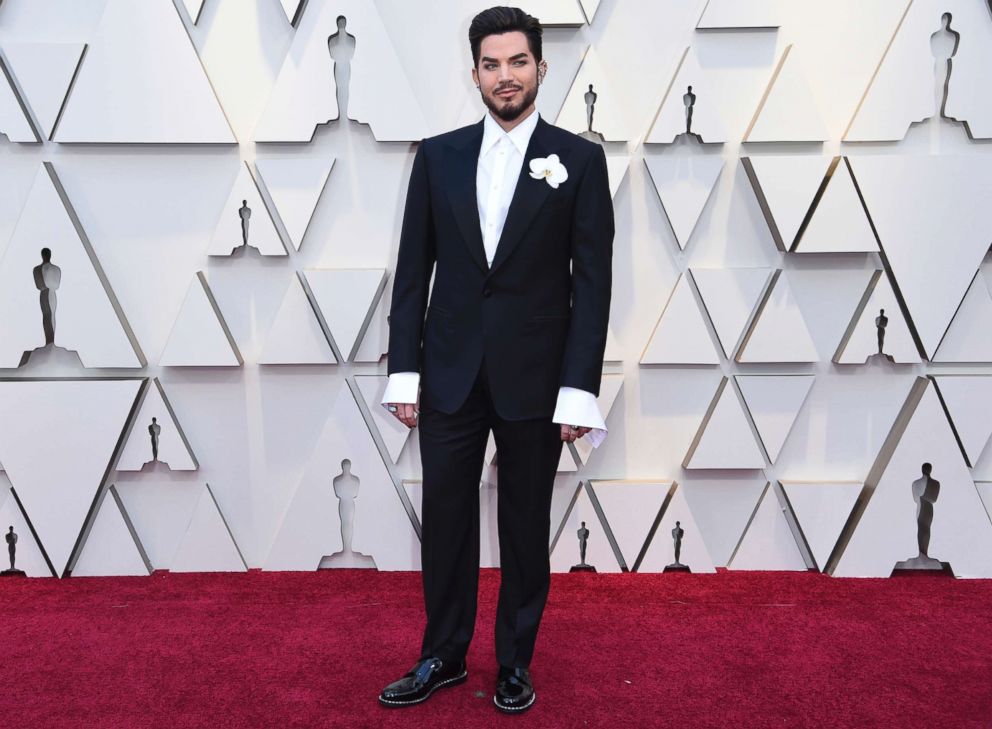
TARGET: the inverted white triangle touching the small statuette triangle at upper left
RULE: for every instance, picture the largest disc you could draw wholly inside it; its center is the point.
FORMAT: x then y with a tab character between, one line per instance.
295	184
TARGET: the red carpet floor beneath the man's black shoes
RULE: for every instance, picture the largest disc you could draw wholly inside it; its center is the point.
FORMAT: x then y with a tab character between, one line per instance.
313	649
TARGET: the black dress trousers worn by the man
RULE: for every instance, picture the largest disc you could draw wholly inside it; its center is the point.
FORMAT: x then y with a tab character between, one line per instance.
452	450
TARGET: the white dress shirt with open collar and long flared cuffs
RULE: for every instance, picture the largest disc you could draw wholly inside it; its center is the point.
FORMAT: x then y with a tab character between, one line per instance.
501	157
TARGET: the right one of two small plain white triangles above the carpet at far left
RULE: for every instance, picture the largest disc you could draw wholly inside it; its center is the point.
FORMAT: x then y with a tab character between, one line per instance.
208	545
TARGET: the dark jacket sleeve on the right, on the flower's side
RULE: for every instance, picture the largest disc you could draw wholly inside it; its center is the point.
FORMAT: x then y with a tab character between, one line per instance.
592	276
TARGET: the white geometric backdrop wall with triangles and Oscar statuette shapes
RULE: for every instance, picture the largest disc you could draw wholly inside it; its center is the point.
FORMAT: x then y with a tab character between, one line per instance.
738	392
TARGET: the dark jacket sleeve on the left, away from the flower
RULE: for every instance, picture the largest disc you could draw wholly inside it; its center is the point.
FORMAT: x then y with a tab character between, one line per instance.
414	267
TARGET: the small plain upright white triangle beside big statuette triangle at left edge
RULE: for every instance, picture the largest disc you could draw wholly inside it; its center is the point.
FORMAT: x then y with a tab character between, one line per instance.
199	337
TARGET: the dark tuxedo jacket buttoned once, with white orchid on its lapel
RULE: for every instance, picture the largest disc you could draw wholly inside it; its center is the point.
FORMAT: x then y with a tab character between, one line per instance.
540	314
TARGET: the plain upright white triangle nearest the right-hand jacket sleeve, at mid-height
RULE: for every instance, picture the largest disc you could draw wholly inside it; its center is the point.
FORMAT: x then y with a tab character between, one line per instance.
681	335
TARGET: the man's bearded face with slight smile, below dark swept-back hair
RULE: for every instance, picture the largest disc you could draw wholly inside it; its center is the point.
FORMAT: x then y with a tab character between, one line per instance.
507	75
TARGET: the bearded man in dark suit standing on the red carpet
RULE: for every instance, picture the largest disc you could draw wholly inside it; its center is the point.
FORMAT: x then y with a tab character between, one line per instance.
514	218
